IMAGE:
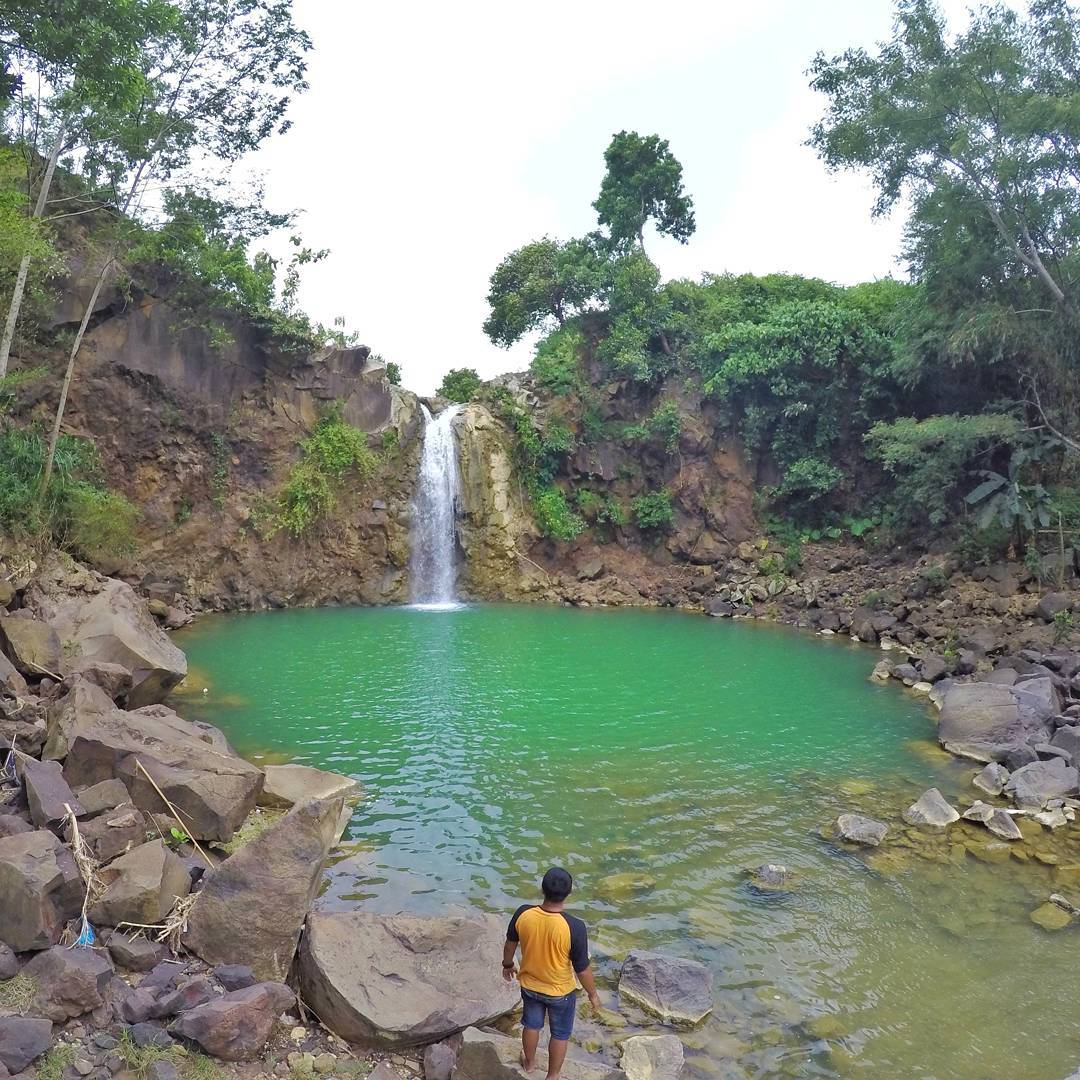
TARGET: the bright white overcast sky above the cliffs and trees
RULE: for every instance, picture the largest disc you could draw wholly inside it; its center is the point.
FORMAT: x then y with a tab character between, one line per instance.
438	138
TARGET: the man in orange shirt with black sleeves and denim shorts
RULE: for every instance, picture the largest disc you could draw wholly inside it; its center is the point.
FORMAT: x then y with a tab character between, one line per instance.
555	951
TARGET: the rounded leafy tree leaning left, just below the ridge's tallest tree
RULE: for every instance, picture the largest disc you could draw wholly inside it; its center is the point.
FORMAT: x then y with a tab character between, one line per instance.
541	286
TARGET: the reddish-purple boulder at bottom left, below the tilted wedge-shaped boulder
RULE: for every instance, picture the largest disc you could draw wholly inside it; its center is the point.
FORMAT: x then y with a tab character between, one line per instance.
236	1028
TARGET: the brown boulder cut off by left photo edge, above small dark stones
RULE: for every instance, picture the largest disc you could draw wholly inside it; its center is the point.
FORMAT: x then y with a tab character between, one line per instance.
40	889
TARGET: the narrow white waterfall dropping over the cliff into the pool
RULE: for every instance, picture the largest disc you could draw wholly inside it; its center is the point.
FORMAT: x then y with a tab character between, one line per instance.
433	569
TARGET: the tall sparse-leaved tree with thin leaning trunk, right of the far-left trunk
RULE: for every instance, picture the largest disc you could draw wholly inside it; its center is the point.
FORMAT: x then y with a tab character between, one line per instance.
217	90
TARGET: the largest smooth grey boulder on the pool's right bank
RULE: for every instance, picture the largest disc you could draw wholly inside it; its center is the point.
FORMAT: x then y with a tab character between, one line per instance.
982	720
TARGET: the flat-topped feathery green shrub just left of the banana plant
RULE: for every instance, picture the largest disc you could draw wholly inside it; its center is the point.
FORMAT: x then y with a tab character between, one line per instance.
930	458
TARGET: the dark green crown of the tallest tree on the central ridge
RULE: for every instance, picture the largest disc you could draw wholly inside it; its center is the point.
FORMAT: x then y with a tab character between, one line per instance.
643	183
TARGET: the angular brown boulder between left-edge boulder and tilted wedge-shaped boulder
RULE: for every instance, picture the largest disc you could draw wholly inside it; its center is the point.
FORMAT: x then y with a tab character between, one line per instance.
141	887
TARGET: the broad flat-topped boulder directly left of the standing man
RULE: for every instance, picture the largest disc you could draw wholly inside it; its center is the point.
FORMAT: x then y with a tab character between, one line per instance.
403	980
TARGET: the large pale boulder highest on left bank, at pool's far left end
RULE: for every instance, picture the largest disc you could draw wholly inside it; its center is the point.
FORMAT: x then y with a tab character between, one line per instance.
114	627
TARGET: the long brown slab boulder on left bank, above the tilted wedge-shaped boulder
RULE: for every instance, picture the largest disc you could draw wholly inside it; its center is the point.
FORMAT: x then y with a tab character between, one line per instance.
191	763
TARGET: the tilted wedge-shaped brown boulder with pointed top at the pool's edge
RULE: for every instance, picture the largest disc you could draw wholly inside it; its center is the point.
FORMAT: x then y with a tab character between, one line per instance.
253	907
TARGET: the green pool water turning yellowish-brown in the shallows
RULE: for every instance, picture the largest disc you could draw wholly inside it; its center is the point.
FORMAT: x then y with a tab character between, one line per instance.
658	757
